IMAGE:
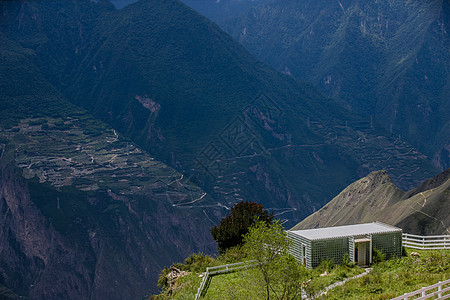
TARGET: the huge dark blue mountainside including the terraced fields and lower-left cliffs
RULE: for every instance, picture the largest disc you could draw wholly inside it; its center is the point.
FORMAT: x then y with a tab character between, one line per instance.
126	134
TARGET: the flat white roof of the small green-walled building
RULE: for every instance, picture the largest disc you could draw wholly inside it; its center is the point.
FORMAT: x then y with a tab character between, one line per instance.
345	231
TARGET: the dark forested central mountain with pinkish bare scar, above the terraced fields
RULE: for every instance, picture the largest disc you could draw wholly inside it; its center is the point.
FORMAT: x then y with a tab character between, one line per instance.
236	127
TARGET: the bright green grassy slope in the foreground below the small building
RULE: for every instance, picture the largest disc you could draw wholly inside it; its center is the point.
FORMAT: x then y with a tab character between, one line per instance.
387	280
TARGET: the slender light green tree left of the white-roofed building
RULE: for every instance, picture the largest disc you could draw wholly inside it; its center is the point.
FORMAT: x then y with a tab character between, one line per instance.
277	274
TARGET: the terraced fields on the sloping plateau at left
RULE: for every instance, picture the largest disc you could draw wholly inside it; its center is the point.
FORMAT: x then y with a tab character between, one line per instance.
62	152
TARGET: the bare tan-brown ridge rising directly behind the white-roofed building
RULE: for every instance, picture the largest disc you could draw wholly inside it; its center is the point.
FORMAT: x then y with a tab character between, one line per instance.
423	210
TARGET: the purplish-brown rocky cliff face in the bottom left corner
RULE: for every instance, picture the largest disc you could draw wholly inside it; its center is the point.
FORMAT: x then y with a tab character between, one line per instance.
36	260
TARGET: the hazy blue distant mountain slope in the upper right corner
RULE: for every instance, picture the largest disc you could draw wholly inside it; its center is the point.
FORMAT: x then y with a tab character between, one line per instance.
388	60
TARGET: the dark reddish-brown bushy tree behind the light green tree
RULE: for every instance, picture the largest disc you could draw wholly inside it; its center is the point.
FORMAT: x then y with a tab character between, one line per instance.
233	227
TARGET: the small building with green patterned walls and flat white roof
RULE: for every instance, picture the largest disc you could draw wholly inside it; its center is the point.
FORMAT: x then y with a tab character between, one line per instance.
311	246
